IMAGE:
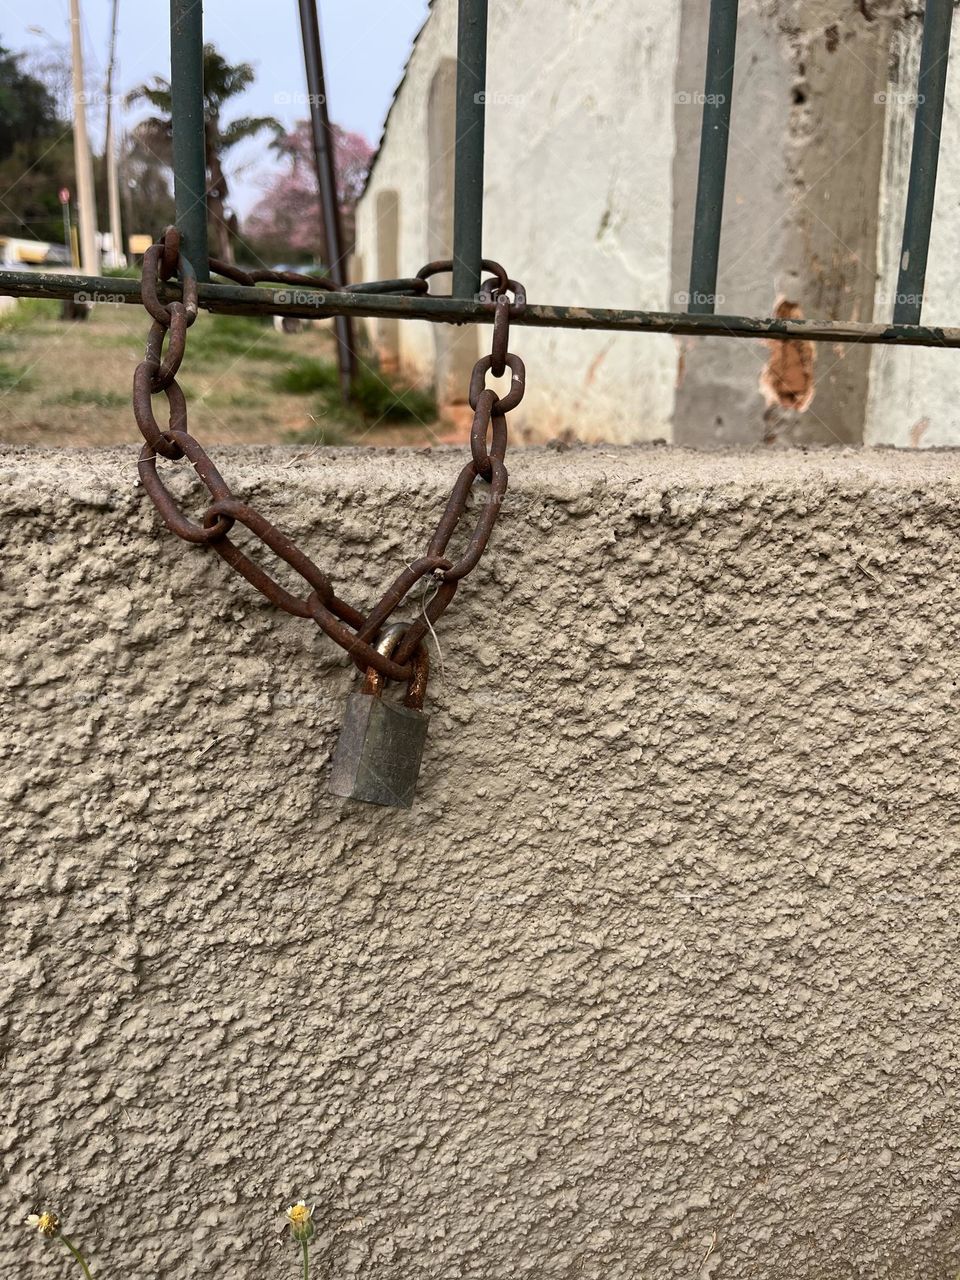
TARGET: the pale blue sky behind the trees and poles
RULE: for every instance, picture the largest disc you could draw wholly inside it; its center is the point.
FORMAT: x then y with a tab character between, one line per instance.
367	44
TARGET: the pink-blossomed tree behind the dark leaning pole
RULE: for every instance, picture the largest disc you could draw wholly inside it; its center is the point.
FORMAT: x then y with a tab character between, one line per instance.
287	222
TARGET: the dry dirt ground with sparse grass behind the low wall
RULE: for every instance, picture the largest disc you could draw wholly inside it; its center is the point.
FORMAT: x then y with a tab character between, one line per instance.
70	383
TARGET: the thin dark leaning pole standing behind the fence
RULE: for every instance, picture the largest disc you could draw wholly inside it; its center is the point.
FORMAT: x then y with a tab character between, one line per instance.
327	179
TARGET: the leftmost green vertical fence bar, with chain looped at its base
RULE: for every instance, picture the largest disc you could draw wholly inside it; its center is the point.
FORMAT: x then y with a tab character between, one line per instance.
189	130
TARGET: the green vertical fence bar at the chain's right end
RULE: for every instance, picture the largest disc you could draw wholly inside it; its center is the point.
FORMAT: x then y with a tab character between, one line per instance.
469	149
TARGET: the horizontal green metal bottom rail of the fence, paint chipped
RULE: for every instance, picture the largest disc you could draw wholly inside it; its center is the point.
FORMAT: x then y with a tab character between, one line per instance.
243	300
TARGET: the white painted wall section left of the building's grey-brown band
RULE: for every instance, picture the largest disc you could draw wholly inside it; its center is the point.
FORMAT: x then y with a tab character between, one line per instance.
578	198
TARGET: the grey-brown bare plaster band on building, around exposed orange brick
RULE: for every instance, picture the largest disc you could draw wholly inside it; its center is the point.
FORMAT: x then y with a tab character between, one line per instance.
801	212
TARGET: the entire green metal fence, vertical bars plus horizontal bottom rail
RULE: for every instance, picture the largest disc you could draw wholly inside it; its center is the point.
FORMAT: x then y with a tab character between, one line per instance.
464	304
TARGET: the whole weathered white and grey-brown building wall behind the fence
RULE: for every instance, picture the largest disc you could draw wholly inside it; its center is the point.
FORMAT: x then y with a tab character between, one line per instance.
593	138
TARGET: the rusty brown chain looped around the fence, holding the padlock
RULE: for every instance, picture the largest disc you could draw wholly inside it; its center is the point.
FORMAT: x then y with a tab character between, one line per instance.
348	627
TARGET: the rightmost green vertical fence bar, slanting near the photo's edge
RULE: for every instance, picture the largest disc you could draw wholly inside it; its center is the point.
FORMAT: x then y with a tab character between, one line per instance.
922	188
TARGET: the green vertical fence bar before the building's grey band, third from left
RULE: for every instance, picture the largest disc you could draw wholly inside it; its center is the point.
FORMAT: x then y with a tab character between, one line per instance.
715	135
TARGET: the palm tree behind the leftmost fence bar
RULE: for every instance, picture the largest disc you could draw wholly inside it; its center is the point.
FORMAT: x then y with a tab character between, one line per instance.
221	84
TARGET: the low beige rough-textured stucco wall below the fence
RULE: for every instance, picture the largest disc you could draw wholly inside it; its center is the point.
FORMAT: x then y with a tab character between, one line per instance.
664	963
